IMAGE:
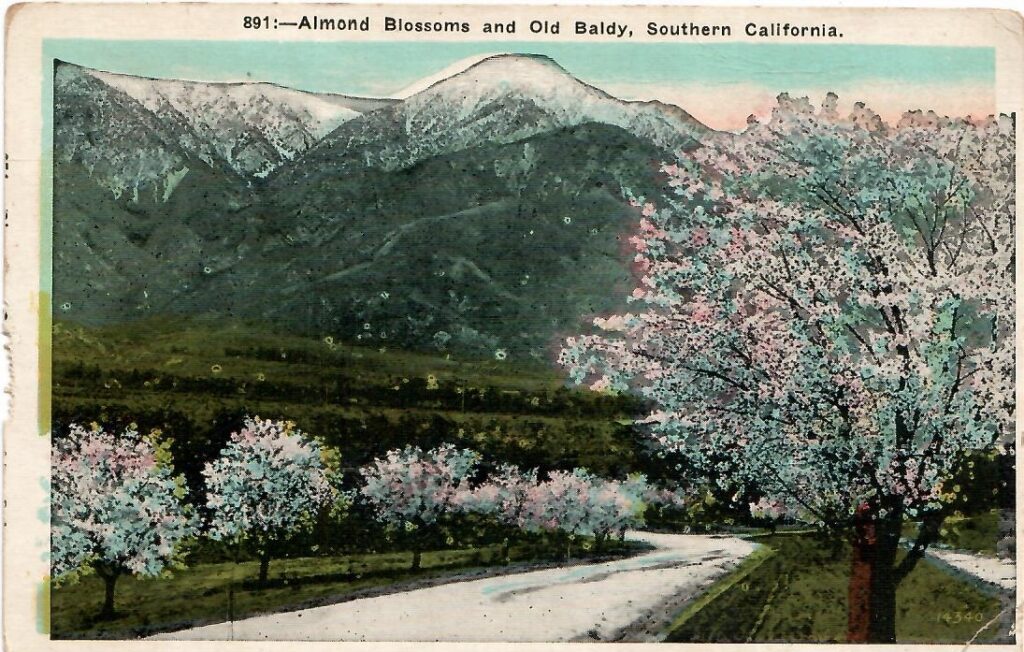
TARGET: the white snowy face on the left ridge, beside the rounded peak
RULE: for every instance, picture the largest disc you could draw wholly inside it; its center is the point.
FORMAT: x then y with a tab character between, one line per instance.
255	127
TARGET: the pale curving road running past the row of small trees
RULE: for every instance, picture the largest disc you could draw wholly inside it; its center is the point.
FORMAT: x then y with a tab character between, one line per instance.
589	602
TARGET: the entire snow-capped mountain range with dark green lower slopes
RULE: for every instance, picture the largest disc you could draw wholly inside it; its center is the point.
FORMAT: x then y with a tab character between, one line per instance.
484	211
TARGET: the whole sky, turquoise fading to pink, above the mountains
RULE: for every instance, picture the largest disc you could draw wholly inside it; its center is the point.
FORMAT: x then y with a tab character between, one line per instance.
718	83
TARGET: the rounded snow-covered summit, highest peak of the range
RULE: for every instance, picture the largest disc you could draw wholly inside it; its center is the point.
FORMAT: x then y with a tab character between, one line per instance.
502	99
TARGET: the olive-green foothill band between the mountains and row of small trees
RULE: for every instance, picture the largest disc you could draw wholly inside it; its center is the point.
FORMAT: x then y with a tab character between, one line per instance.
197	382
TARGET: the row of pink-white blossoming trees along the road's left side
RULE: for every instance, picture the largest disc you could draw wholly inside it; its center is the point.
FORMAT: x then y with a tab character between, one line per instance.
118	508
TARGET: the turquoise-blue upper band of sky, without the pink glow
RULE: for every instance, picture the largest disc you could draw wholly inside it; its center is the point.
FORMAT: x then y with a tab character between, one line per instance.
389	67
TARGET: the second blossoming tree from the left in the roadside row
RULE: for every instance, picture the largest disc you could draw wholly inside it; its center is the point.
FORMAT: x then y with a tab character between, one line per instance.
270	483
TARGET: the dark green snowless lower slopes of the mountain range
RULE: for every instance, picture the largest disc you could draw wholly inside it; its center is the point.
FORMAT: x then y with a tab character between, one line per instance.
497	247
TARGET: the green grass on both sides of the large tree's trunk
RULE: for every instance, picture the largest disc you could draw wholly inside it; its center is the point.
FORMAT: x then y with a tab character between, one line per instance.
799	594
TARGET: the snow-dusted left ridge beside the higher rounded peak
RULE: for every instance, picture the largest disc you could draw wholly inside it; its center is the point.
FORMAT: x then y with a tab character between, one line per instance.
149	133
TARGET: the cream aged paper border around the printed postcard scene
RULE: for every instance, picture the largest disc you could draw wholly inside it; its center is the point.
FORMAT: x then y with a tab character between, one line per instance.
27	450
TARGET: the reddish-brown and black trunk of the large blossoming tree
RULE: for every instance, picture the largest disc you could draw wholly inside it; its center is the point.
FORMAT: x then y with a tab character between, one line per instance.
872	615
